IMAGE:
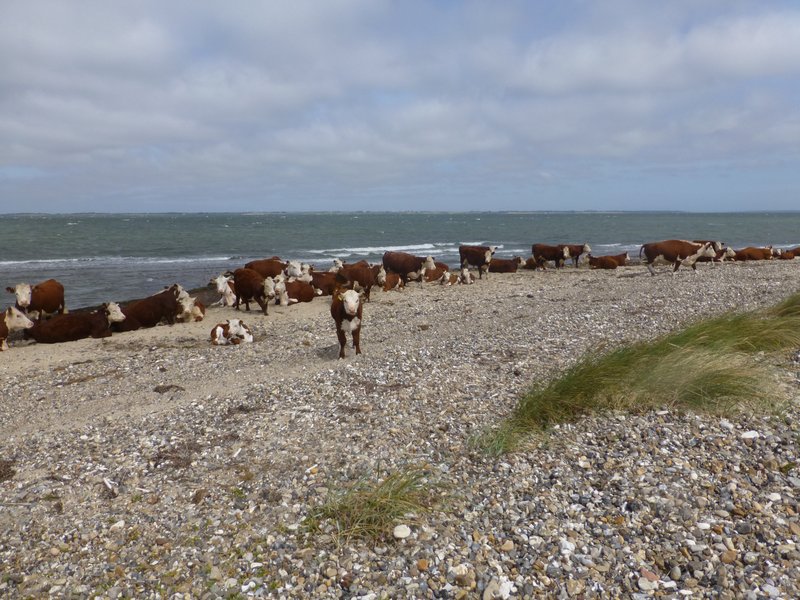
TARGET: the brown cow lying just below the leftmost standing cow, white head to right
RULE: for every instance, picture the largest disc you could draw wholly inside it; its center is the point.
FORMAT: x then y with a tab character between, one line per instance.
77	326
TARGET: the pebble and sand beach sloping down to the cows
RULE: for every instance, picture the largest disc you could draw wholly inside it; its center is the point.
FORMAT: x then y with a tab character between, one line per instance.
153	465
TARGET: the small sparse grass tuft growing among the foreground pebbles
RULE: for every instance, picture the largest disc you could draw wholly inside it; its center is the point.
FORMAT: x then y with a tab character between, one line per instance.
370	508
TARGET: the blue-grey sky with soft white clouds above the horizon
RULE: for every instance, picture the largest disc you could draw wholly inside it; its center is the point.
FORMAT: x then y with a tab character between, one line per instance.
195	106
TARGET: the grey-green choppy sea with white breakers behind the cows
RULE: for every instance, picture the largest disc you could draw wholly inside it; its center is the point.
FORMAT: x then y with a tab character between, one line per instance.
118	257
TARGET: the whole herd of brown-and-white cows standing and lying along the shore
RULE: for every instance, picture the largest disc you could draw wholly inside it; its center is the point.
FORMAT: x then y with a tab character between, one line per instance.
40	310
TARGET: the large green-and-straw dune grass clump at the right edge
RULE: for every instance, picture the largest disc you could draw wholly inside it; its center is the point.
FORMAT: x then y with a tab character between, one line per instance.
708	366
